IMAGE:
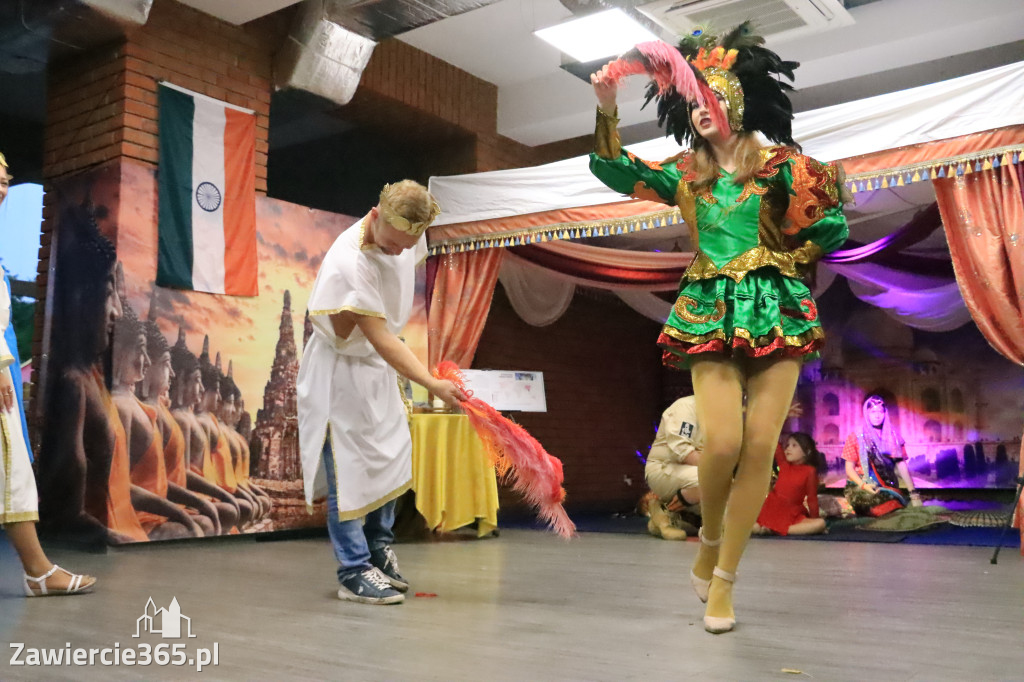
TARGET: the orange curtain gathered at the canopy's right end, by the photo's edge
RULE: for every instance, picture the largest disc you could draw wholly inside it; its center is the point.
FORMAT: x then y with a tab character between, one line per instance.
984	215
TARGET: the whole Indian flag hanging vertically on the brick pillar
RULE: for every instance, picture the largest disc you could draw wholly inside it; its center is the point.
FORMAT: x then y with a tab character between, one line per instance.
207	184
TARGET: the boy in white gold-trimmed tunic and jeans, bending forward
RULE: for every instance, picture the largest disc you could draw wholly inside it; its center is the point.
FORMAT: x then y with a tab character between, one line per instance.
354	433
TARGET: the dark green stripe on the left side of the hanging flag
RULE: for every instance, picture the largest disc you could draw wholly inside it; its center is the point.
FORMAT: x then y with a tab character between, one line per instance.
175	262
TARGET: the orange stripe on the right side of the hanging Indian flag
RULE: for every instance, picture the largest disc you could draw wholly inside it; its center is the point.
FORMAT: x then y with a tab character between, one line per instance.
240	209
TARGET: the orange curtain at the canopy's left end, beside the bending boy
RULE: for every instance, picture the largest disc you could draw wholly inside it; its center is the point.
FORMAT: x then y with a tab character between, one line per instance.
464	286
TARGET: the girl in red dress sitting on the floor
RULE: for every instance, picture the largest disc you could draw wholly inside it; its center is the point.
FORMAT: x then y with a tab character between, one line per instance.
784	513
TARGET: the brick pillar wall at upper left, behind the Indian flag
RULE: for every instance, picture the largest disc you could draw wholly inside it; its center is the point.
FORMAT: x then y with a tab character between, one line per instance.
102	106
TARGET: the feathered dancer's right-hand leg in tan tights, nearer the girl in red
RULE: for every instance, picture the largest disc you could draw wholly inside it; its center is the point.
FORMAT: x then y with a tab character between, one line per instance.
771	386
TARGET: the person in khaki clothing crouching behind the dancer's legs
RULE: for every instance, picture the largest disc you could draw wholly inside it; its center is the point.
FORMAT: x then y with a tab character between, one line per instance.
672	473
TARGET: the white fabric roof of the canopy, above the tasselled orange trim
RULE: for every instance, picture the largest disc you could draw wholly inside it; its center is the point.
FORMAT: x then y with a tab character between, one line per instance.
940	111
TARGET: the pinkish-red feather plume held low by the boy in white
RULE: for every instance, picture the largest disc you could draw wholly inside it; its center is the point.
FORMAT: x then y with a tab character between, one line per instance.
519	457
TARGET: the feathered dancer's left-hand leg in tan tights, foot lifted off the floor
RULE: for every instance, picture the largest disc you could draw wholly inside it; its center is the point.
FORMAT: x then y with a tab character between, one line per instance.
718	386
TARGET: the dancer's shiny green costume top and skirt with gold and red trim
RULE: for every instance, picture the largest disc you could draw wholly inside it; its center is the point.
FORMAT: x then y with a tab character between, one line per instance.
760	236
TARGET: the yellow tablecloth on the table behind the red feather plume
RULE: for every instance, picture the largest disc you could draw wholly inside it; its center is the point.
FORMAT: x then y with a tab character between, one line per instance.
454	481
